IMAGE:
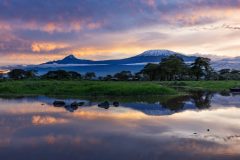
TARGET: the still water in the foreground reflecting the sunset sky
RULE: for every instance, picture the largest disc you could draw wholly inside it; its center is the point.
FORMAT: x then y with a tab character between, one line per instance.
200	126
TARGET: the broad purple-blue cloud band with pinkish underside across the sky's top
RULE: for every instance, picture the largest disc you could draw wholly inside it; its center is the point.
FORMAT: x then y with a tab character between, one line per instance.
59	16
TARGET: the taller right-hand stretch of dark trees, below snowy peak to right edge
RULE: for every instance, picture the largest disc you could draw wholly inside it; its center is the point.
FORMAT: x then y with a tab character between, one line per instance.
174	68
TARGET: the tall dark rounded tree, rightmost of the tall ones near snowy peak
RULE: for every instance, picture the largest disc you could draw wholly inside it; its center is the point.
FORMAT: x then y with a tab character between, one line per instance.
201	67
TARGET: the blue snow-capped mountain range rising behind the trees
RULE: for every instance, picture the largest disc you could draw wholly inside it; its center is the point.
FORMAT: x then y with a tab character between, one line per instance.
133	64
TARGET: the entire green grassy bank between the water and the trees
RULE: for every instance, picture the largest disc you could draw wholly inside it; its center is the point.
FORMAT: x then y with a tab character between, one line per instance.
102	88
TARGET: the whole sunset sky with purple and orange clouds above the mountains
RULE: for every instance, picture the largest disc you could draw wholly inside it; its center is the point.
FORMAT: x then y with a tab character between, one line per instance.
36	31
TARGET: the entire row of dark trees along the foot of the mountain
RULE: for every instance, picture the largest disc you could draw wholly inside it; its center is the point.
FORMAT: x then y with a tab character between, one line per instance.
171	68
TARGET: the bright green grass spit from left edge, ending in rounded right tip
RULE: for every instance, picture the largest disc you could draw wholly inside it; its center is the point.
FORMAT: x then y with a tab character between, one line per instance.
83	88
